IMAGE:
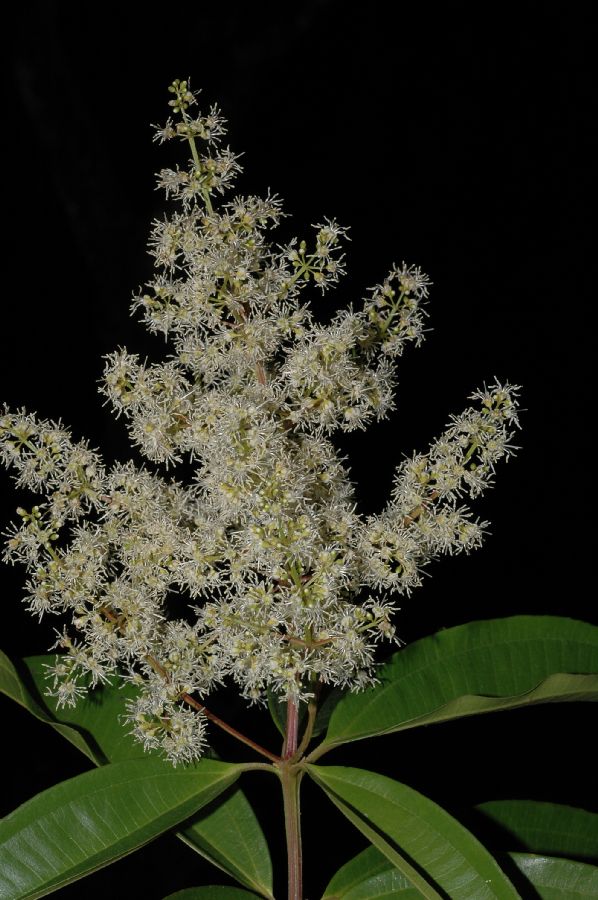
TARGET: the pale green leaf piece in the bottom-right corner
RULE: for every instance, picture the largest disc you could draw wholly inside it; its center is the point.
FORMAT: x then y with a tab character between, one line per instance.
558	879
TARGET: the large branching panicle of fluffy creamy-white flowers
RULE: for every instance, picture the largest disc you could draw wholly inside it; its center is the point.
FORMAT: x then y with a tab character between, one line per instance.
260	570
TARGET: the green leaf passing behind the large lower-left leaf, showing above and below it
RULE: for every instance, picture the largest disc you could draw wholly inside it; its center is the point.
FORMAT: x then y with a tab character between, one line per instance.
226	832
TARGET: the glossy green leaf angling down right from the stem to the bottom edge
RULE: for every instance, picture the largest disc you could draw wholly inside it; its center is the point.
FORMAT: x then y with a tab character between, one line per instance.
434	851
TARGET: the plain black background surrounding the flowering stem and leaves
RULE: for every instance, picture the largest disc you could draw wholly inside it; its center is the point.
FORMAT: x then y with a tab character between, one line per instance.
455	140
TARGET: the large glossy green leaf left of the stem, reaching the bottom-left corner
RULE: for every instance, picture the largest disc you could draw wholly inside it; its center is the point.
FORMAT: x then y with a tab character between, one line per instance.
89	821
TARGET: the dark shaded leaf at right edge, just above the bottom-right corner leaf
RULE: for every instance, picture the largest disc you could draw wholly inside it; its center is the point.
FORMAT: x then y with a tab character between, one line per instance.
547	828
